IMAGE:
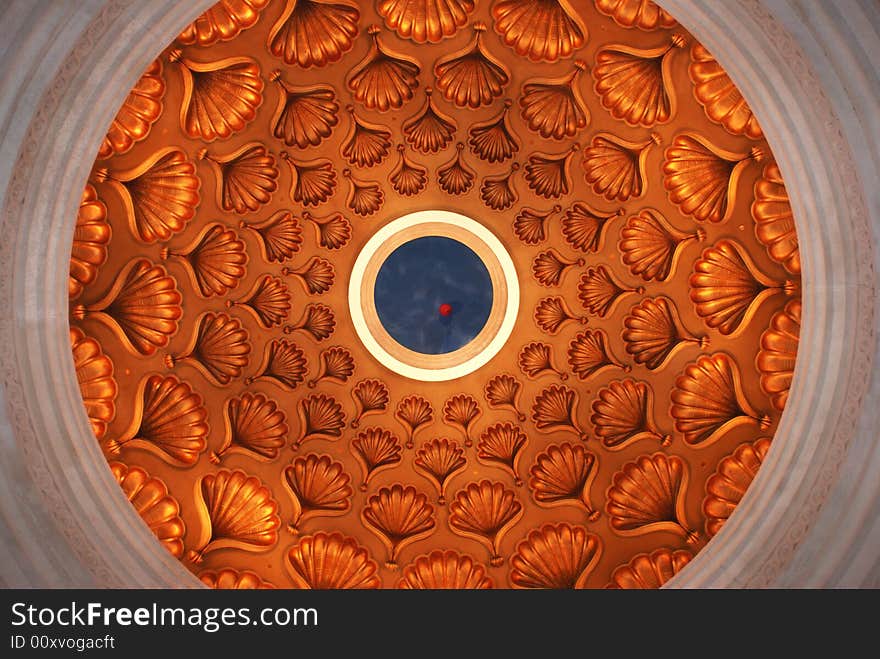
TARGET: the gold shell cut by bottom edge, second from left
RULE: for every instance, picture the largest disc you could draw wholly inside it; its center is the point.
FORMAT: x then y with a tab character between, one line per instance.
331	562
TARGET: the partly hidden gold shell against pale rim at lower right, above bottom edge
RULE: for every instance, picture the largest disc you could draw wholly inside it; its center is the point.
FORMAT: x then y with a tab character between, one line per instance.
726	487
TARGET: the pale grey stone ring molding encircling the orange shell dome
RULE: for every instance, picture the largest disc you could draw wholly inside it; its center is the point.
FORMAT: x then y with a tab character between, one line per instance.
810	517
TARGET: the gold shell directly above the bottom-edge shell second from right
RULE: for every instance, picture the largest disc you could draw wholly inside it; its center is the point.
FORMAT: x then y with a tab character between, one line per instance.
562	476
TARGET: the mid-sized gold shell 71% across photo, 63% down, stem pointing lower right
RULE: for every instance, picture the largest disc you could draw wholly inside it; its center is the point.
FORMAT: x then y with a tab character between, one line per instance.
623	414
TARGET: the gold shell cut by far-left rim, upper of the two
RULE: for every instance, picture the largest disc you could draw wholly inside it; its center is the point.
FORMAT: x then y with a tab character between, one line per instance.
90	239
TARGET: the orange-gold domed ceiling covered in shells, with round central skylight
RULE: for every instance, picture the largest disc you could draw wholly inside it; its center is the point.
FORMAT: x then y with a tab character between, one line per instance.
240	368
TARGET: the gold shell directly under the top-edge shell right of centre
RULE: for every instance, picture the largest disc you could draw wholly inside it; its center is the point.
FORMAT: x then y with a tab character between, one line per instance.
554	107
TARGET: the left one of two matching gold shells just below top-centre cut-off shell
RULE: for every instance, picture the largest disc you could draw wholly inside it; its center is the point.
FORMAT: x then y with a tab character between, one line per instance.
383	80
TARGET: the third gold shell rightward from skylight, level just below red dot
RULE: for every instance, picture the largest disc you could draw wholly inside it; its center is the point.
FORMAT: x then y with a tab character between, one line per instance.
654	331
